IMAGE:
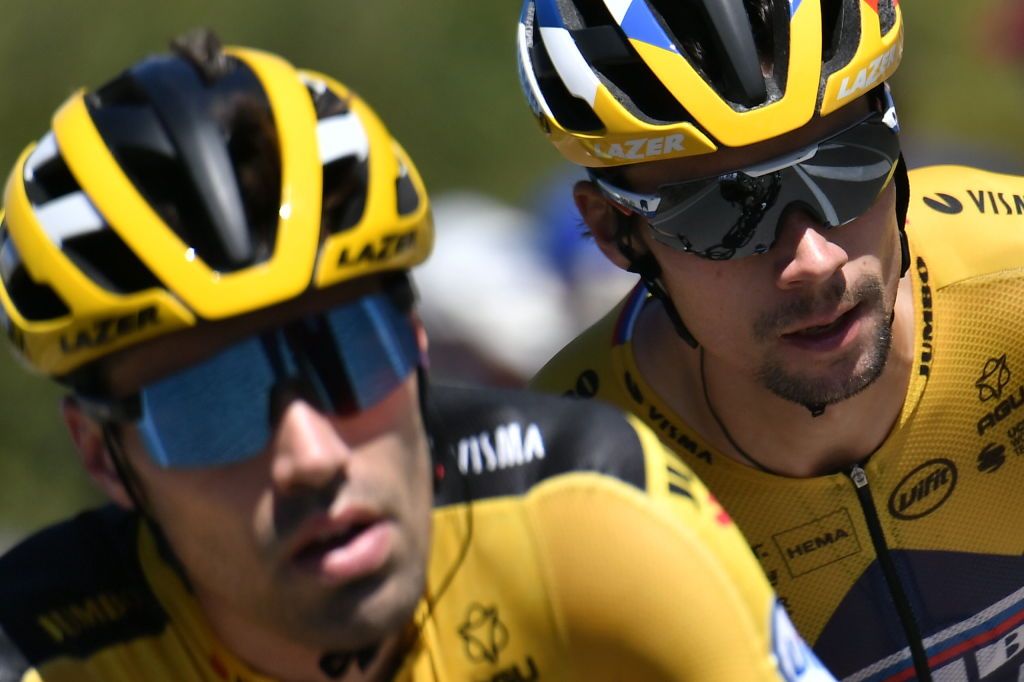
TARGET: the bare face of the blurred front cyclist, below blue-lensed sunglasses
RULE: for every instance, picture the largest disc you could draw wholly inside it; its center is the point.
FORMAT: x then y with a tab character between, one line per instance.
321	538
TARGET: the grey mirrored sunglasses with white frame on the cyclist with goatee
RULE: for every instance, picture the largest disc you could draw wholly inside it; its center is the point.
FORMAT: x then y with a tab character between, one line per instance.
737	215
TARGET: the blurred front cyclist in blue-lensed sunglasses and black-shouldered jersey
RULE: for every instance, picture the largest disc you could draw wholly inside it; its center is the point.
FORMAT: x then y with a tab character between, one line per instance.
211	251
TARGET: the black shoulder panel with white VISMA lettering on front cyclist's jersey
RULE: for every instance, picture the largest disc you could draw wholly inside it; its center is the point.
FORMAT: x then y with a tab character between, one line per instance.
504	443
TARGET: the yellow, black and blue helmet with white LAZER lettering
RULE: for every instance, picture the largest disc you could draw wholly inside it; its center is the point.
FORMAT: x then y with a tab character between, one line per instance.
616	82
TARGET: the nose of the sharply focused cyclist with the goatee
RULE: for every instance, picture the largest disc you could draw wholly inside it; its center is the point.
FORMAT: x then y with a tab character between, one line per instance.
805	258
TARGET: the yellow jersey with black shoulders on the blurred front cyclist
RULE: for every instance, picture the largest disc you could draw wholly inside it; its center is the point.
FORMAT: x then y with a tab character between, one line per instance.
568	545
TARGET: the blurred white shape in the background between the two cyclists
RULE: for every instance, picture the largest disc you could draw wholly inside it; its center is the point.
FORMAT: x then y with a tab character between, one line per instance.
494	310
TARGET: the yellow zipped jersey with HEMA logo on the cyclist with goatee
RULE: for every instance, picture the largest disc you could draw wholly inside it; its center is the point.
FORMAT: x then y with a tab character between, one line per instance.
917	553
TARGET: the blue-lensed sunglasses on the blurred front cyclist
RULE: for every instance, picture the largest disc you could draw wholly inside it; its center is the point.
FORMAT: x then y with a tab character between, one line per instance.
224	409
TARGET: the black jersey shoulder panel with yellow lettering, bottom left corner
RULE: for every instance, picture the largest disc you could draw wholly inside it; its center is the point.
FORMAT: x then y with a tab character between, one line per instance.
72	589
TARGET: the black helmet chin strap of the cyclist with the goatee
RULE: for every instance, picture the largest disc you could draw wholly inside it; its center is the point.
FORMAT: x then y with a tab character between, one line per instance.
650	271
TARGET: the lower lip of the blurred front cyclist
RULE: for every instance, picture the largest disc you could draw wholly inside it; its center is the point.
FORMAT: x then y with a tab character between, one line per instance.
361	557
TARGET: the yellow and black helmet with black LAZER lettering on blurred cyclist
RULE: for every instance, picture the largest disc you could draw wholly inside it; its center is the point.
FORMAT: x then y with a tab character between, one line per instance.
194	189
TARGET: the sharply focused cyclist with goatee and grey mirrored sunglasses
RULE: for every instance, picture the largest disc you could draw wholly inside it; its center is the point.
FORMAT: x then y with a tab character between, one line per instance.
835	358
